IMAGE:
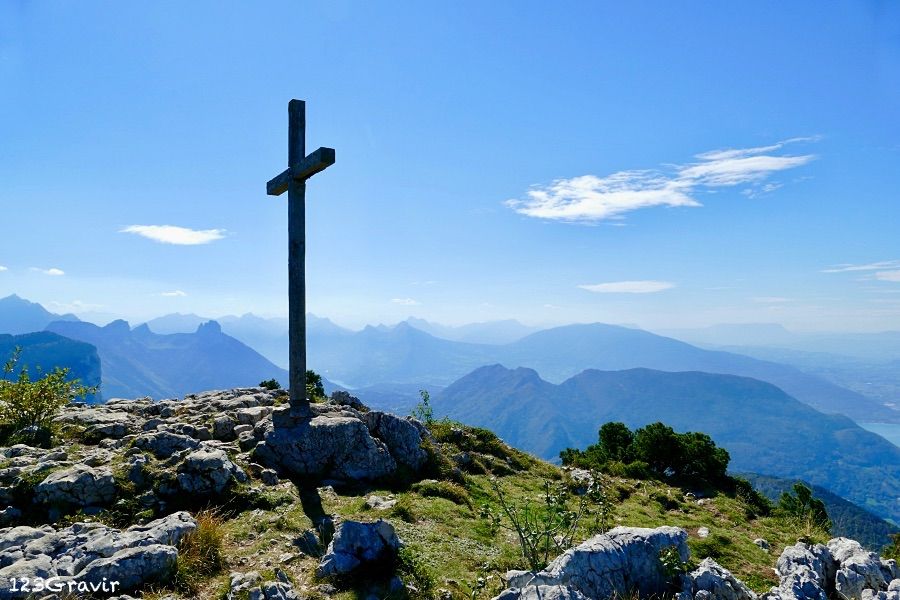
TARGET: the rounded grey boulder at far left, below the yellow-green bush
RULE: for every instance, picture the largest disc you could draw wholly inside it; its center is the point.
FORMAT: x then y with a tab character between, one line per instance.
77	486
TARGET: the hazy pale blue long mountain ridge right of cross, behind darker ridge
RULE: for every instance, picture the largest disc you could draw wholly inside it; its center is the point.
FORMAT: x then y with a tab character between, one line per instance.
406	355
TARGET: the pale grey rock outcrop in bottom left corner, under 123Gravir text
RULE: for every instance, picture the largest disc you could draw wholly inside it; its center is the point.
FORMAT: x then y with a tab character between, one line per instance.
92	553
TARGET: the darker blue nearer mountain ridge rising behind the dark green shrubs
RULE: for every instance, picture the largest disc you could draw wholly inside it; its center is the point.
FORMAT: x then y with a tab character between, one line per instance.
763	428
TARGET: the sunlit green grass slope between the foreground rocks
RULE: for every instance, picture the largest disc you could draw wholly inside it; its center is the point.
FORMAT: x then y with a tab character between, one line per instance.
453	546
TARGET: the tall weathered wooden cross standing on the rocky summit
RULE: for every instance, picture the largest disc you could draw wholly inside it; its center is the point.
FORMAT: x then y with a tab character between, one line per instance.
293	180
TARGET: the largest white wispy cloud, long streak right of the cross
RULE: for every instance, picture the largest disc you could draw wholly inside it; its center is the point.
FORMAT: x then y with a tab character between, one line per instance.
590	198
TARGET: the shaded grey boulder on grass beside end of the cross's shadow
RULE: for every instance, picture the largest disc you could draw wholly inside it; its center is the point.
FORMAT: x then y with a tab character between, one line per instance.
356	545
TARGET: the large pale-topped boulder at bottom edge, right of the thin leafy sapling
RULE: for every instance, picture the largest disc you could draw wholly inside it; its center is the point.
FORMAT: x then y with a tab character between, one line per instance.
617	563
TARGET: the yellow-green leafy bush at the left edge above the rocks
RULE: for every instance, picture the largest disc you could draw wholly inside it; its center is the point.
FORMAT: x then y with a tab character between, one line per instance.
27	407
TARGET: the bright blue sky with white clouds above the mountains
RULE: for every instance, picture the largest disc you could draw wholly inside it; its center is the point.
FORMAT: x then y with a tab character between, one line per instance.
662	164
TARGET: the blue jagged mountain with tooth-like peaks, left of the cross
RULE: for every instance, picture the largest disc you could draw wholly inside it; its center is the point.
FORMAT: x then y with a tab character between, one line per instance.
137	362
